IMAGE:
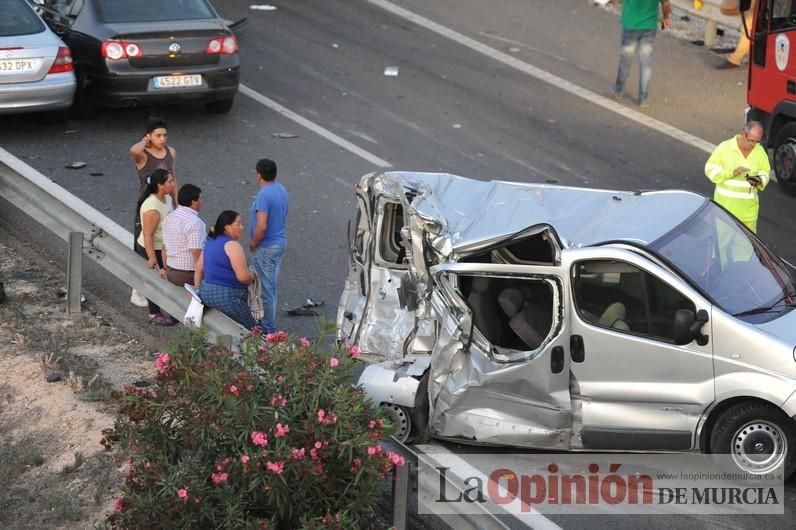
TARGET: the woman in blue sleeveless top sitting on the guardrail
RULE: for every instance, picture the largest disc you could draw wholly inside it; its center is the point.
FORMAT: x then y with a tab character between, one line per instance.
222	273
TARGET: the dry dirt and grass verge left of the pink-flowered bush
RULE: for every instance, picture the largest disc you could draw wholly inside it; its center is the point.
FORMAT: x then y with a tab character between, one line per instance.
53	470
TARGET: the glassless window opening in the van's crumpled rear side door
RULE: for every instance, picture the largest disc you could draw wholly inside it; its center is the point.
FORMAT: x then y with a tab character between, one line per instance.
513	313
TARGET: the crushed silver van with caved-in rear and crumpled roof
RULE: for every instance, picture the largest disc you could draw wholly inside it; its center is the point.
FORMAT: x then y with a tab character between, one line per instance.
571	319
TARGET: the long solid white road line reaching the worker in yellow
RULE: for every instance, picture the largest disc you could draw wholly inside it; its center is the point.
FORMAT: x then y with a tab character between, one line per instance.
547	77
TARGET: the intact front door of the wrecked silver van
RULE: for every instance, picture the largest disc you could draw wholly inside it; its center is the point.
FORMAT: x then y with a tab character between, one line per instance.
632	386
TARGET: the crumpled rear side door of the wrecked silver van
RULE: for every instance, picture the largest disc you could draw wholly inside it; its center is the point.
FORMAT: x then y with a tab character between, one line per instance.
499	372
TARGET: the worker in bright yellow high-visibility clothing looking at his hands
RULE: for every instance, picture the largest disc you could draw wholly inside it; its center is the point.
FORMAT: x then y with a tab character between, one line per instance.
740	169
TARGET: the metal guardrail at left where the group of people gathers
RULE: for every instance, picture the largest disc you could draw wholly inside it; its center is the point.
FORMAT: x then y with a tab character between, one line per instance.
104	241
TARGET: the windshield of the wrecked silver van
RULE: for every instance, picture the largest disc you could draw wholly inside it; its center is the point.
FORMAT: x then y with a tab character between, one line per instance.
732	266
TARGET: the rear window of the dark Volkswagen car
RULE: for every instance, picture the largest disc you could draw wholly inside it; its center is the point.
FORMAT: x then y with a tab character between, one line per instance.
153	10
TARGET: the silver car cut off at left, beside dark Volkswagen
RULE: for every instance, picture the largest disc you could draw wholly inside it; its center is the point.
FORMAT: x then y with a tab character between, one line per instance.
36	72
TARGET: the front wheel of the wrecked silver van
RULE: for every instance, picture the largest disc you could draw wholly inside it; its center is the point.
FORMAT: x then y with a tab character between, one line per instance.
759	437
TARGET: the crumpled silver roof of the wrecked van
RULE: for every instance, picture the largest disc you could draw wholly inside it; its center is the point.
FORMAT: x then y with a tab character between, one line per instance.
472	212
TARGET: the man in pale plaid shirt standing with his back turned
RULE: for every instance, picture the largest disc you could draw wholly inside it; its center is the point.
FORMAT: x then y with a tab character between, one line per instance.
184	235
